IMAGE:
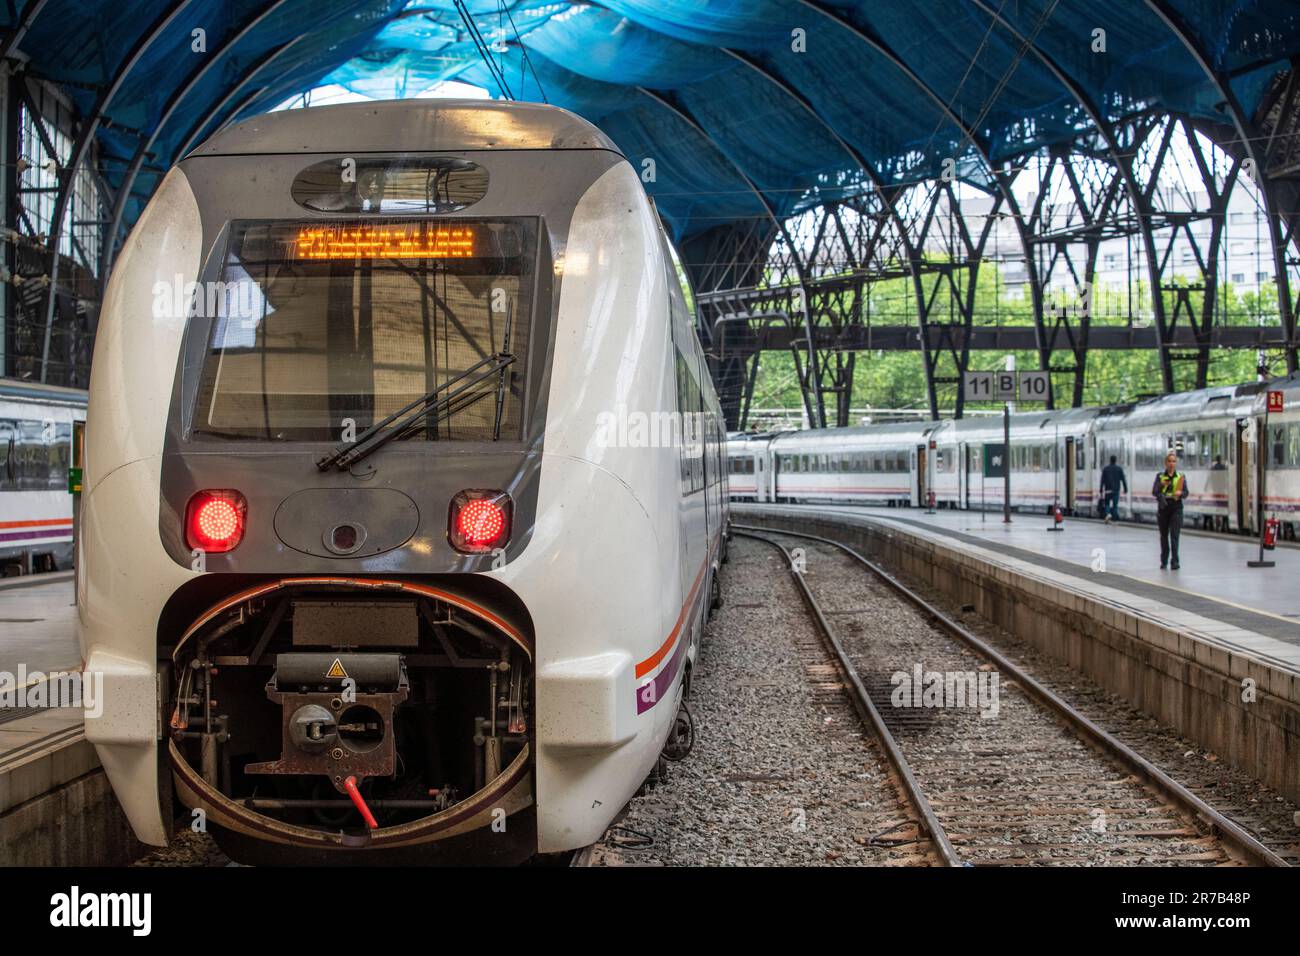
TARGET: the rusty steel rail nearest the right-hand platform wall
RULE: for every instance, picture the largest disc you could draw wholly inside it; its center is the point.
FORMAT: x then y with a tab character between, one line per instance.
1233	836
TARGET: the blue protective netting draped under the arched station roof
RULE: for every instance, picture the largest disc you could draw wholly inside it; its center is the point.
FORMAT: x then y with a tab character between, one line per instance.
712	90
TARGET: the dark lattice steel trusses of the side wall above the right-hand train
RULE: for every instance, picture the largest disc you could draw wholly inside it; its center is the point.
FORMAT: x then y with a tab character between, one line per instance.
1124	184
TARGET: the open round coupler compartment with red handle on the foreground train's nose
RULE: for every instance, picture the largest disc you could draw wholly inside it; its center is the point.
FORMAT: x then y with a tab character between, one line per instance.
333	715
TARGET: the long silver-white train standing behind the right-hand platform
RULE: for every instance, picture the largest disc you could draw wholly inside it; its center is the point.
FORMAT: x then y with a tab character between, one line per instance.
1056	460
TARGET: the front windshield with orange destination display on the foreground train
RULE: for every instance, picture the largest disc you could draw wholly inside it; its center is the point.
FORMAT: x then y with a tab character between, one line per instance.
320	330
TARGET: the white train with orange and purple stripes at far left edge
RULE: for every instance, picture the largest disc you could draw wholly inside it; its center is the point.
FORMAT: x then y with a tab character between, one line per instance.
38	429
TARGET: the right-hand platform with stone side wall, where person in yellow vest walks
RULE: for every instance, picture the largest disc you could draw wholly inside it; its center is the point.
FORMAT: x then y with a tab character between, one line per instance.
1212	650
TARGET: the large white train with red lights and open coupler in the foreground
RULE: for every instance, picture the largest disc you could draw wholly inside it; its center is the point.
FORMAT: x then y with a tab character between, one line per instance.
371	563
